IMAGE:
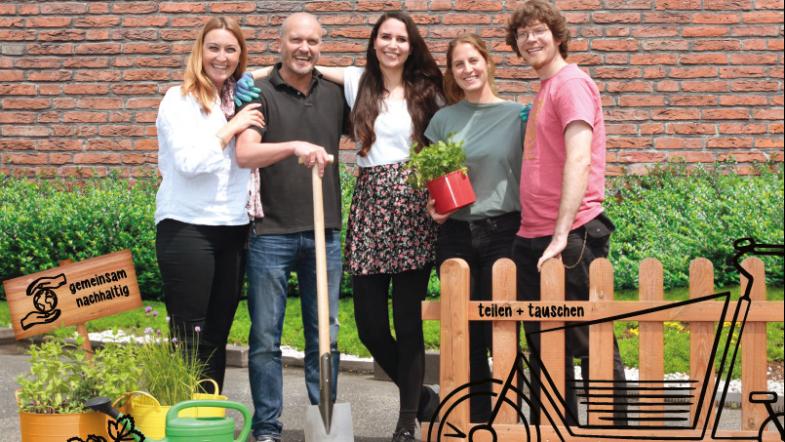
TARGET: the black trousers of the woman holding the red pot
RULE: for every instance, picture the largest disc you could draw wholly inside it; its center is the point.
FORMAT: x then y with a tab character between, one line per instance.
479	243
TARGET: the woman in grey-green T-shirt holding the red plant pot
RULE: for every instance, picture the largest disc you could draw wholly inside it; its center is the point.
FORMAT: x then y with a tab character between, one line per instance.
492	132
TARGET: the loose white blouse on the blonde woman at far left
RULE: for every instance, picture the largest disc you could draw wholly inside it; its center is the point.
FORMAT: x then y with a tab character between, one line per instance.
201	183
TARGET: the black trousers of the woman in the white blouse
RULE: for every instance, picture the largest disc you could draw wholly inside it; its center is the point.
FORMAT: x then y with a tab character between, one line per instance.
202	271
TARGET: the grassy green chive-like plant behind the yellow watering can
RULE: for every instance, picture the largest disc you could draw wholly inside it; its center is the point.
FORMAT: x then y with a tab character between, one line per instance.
170	368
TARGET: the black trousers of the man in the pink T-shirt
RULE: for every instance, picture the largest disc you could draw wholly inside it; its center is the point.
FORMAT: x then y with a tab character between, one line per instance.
576	257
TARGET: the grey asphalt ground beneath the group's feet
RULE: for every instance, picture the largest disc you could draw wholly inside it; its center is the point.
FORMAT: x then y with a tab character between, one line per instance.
374	403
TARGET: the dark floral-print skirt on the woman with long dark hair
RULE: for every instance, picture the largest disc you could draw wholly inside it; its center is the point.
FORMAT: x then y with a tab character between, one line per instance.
389	229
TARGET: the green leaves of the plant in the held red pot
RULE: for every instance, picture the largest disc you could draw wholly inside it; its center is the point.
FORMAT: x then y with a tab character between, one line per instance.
435	160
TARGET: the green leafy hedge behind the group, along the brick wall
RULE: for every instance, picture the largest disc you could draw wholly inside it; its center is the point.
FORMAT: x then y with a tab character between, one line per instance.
672	214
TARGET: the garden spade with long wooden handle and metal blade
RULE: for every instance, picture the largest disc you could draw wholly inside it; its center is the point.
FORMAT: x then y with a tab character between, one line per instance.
326	421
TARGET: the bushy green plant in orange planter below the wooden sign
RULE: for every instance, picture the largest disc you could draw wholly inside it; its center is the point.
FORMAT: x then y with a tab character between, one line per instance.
52	394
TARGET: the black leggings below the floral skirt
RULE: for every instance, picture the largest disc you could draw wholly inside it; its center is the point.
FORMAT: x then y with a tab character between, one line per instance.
402	357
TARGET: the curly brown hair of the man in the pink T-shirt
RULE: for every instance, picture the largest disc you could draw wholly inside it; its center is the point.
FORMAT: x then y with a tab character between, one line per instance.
545	13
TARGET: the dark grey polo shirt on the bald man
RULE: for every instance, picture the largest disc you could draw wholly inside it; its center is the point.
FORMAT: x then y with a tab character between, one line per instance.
319	118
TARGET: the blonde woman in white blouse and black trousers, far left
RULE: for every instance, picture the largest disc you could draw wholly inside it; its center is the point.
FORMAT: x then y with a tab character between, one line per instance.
201	218
